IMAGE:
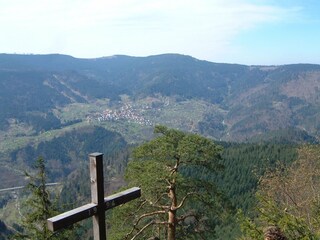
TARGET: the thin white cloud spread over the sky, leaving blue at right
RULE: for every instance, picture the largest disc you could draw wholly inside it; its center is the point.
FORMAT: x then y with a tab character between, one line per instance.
83	28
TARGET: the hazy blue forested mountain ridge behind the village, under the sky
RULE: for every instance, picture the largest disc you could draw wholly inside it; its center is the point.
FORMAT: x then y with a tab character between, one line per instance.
252	99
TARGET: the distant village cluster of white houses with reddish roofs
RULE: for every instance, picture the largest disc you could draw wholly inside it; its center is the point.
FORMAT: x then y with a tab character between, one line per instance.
126	113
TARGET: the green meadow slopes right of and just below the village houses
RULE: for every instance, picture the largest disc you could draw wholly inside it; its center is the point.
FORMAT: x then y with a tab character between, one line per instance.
183	115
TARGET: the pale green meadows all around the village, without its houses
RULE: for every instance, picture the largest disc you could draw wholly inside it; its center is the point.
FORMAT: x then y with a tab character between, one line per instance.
162	110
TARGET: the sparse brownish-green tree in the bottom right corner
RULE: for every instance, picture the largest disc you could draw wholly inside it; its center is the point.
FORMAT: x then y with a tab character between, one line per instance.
290	199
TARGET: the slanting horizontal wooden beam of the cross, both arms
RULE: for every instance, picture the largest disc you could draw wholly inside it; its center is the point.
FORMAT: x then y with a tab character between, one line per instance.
73	216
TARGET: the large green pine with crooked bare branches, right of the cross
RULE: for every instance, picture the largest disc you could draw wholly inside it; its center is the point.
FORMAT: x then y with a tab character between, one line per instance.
178	201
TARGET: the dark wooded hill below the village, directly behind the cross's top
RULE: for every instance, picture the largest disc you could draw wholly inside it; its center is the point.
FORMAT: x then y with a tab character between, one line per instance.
66	153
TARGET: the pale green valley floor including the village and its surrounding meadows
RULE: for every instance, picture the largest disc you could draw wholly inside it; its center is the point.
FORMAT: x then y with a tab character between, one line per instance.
142	114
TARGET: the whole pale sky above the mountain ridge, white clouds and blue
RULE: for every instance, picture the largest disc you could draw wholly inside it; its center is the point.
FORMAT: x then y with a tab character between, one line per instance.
253	32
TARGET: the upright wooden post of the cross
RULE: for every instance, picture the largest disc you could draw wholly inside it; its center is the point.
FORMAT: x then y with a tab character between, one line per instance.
97	195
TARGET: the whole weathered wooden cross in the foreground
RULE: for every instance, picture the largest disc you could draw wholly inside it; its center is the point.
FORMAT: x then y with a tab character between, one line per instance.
99	204
